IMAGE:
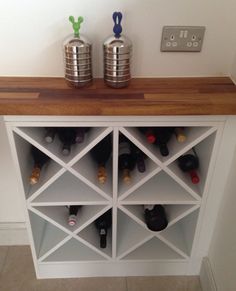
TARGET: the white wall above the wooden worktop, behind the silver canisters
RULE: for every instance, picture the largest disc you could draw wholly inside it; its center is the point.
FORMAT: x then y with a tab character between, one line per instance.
32	33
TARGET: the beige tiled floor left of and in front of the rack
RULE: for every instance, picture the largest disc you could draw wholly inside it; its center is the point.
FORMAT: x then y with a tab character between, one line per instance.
17	274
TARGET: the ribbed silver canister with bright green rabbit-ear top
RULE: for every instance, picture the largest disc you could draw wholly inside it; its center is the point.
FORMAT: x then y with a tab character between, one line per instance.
77	51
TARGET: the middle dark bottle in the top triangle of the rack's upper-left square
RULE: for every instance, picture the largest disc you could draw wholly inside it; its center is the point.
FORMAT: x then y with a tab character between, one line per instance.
67	136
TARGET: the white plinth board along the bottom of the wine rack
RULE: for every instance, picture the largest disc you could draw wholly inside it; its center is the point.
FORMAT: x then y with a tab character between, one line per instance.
110	269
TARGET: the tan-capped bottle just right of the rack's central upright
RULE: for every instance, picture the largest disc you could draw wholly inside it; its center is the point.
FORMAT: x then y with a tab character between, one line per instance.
126	160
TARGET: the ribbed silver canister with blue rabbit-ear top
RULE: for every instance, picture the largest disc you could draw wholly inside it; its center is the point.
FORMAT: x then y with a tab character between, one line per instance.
117	52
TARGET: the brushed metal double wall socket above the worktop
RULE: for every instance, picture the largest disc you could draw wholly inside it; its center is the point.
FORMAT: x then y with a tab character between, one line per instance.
182	38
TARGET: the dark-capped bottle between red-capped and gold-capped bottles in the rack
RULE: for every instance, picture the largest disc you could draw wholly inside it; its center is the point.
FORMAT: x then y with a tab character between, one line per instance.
163	135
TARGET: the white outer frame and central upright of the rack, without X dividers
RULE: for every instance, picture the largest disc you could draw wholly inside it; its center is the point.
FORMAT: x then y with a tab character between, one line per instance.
176	267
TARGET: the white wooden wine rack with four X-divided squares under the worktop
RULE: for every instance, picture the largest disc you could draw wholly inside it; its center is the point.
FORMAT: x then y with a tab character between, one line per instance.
60	250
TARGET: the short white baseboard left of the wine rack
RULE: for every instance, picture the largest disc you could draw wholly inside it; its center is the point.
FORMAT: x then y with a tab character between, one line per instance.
13	234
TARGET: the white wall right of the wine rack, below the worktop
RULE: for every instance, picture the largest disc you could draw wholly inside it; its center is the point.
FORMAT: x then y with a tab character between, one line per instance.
222	252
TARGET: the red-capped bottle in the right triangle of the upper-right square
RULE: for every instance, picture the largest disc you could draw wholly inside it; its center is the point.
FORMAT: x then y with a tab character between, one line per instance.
190	163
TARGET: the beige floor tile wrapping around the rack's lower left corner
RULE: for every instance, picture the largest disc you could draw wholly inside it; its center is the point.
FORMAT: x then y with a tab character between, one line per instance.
18	275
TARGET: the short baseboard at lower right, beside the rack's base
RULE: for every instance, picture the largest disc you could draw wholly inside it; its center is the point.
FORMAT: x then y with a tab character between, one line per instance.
206	276
